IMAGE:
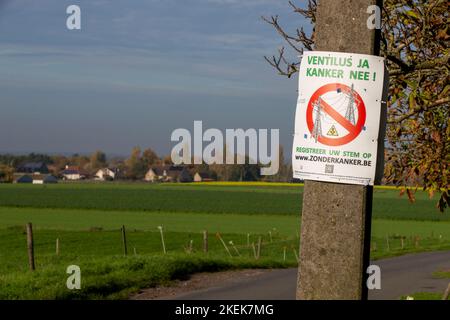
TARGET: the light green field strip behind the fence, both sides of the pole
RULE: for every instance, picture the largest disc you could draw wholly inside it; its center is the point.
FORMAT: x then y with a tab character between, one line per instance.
68	219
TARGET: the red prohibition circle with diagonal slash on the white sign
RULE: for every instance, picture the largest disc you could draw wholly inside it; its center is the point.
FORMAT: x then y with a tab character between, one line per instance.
353	129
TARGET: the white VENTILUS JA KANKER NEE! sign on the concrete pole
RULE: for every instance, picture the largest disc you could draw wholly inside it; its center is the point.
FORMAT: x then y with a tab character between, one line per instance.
337	121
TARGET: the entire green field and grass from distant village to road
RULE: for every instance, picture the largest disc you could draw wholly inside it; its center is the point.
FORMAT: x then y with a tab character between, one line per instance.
86	218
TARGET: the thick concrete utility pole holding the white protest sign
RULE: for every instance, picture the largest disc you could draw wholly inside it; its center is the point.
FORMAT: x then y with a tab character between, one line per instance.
336	218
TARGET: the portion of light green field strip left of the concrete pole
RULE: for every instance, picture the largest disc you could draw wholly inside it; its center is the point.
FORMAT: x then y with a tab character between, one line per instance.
78	219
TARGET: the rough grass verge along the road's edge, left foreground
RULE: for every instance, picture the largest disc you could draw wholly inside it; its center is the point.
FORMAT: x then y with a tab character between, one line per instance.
115	277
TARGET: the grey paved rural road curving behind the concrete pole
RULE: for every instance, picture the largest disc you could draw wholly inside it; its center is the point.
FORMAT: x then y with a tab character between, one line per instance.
399	276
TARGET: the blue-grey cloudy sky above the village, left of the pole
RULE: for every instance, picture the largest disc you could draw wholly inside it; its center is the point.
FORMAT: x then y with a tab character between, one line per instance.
137	70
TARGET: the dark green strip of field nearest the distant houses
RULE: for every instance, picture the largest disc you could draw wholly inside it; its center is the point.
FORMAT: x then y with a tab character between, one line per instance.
204	198
